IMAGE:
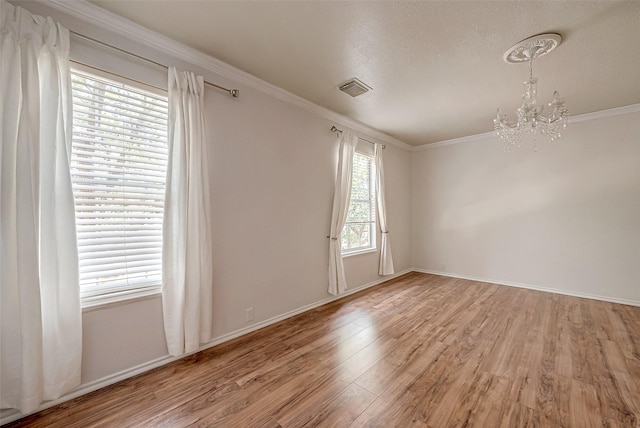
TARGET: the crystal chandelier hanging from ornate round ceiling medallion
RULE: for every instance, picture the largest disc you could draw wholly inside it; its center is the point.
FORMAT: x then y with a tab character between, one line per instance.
530	119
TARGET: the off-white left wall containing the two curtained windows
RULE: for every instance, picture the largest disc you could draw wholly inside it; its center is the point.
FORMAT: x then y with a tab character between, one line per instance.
273	169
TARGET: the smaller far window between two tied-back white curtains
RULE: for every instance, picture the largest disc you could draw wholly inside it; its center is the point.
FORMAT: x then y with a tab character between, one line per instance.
359	233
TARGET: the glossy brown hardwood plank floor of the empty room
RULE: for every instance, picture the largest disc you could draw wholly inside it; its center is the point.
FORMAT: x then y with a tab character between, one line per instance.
421	350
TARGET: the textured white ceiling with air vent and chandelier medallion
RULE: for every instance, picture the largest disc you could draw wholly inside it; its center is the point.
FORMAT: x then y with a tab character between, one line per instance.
436	68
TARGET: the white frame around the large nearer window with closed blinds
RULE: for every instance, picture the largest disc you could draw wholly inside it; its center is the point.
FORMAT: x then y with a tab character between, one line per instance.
112	295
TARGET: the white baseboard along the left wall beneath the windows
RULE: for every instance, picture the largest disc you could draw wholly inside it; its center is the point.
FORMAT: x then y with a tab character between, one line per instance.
10	415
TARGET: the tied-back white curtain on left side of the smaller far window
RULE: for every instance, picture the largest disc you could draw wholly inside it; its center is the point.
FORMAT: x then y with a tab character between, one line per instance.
341	198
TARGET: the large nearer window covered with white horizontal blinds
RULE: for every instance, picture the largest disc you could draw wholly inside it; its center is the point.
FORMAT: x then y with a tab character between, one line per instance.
118	171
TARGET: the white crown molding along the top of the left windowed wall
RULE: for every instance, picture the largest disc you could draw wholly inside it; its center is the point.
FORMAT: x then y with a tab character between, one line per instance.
94	15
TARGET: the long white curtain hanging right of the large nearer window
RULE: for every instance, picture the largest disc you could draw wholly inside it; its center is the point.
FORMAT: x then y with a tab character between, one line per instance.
187	245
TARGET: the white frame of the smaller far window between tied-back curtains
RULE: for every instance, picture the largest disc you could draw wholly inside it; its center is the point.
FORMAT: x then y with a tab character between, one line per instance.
373	222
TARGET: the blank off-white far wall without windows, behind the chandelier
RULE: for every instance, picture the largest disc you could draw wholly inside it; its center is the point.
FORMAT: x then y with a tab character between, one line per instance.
566	217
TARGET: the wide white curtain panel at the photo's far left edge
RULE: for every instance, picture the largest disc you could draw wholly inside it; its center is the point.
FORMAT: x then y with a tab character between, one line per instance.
41	325
